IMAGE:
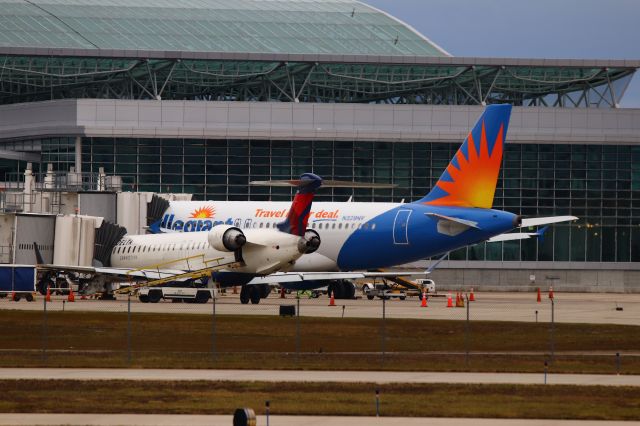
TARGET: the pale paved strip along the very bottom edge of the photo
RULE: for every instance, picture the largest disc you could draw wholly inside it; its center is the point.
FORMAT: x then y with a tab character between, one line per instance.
204	420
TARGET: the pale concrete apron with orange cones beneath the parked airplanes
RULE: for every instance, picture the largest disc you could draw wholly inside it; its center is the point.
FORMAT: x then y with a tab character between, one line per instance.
568	307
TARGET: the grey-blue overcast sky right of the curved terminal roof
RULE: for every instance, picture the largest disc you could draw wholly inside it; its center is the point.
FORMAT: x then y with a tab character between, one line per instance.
582	29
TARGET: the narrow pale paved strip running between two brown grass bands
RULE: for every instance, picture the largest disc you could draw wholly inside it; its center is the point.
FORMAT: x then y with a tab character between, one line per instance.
380	377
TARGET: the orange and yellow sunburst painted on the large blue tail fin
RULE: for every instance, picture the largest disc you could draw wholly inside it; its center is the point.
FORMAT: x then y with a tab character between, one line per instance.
470	179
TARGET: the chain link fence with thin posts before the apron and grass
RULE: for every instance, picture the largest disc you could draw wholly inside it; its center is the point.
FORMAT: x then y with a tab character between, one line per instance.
453	332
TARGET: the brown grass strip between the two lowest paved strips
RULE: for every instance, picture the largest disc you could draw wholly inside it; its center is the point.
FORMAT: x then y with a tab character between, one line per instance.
357	399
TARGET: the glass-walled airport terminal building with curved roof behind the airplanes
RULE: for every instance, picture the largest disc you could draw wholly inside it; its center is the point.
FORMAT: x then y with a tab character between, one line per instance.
201	97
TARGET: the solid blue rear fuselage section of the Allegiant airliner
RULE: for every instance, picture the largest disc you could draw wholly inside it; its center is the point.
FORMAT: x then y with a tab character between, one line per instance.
371	247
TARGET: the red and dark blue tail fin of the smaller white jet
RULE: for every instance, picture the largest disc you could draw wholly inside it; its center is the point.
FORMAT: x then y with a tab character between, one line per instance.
298	217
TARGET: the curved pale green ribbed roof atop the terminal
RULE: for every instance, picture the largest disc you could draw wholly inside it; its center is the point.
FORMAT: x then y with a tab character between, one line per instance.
242	26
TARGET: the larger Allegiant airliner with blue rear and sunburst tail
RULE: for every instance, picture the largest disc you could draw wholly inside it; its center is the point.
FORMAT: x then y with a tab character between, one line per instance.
356	236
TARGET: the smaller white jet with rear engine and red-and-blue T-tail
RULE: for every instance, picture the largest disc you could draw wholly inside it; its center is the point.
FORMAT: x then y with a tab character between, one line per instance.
224	249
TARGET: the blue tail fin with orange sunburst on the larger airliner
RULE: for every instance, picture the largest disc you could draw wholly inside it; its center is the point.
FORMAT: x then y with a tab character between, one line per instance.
470	178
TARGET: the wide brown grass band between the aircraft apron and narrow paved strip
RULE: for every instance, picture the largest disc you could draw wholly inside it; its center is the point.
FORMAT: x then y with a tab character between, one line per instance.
99	339
